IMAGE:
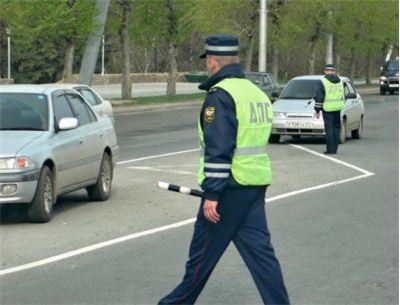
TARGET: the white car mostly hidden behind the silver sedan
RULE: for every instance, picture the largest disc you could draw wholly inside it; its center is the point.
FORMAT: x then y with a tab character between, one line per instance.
101	106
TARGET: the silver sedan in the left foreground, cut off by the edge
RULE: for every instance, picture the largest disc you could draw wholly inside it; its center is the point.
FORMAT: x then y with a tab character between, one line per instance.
52	142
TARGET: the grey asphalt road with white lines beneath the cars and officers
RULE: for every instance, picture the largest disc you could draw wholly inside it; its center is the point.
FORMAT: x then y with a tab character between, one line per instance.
334	222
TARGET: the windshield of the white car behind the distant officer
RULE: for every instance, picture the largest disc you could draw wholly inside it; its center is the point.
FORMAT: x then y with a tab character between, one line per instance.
300	89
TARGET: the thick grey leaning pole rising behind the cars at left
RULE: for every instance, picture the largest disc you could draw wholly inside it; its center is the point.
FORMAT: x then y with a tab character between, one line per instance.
93	44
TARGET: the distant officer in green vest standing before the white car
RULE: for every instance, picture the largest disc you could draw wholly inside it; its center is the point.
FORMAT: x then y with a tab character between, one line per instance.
330	99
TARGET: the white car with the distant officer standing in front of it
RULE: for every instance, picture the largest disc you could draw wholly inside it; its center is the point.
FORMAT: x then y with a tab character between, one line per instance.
294	113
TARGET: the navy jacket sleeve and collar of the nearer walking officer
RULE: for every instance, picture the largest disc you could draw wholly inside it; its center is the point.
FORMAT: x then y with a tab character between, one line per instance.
220	132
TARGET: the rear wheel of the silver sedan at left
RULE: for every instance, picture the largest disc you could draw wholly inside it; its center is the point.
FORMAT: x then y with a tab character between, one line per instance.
102	189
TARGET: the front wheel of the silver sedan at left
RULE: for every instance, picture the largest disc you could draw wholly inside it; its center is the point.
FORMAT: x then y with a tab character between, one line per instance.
41	207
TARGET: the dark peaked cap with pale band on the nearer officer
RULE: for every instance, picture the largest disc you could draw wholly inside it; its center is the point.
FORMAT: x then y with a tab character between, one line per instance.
221	45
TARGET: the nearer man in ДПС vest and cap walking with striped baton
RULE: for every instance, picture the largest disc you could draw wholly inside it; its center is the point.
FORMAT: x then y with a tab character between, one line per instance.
234	172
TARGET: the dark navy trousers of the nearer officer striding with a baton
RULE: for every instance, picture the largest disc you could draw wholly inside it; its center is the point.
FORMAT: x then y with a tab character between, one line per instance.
243	221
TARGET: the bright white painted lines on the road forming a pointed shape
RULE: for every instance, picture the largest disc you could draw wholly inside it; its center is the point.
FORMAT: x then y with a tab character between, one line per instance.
69	254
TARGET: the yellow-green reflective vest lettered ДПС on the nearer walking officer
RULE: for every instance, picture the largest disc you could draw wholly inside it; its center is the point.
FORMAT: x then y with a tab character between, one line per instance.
250	164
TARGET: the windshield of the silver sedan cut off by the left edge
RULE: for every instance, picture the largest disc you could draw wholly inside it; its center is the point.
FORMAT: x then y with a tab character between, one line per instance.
23	111
